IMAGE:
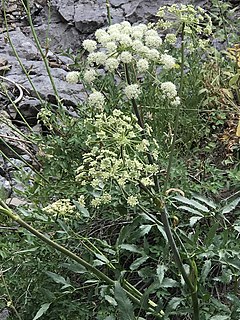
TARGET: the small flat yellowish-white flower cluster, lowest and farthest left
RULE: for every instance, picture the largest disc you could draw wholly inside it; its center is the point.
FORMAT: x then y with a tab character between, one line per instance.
61	207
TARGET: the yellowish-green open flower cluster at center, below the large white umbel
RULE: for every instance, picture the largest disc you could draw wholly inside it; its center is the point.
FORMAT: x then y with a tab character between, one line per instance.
118	154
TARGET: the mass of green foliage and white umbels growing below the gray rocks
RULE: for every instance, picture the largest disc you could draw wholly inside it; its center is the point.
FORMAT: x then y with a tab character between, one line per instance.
101	190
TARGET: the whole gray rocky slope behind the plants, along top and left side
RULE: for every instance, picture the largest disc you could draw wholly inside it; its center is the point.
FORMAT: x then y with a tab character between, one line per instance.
61	25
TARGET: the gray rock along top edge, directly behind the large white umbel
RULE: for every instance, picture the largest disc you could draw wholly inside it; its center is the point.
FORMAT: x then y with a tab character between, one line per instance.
73	21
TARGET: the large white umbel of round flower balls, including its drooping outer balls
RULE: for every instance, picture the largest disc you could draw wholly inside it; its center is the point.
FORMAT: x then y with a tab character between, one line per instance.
131	53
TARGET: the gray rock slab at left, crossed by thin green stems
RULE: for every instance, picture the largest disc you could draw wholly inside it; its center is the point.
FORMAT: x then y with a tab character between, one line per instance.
70	94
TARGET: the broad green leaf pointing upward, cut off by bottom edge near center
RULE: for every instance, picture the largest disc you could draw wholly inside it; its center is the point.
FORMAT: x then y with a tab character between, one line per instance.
125	306
